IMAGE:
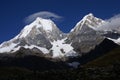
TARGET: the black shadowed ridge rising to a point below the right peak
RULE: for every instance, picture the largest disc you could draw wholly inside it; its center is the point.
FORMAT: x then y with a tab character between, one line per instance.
100	50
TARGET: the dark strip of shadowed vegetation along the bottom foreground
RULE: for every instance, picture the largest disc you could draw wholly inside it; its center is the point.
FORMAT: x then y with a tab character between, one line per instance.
108	73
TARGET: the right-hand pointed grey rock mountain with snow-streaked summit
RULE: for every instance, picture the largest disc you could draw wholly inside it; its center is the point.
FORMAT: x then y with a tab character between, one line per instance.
83	36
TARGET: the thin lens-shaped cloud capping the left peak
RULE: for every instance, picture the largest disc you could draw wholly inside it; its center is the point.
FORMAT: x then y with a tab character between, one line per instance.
45	15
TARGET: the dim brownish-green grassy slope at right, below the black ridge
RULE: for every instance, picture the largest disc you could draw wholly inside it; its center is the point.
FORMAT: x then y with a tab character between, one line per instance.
108	59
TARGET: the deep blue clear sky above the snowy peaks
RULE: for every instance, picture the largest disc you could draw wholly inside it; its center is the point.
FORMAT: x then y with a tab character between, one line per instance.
14	12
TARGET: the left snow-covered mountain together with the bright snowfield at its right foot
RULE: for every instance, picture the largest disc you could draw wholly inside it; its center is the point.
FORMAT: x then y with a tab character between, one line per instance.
42	36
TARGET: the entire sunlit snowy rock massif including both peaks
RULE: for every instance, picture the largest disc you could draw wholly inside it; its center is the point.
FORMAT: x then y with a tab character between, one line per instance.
43	38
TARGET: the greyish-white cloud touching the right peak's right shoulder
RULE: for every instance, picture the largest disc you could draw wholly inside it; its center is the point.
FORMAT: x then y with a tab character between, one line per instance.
111	24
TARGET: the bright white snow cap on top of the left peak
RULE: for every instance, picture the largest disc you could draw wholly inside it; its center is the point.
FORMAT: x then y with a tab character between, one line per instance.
40	23
